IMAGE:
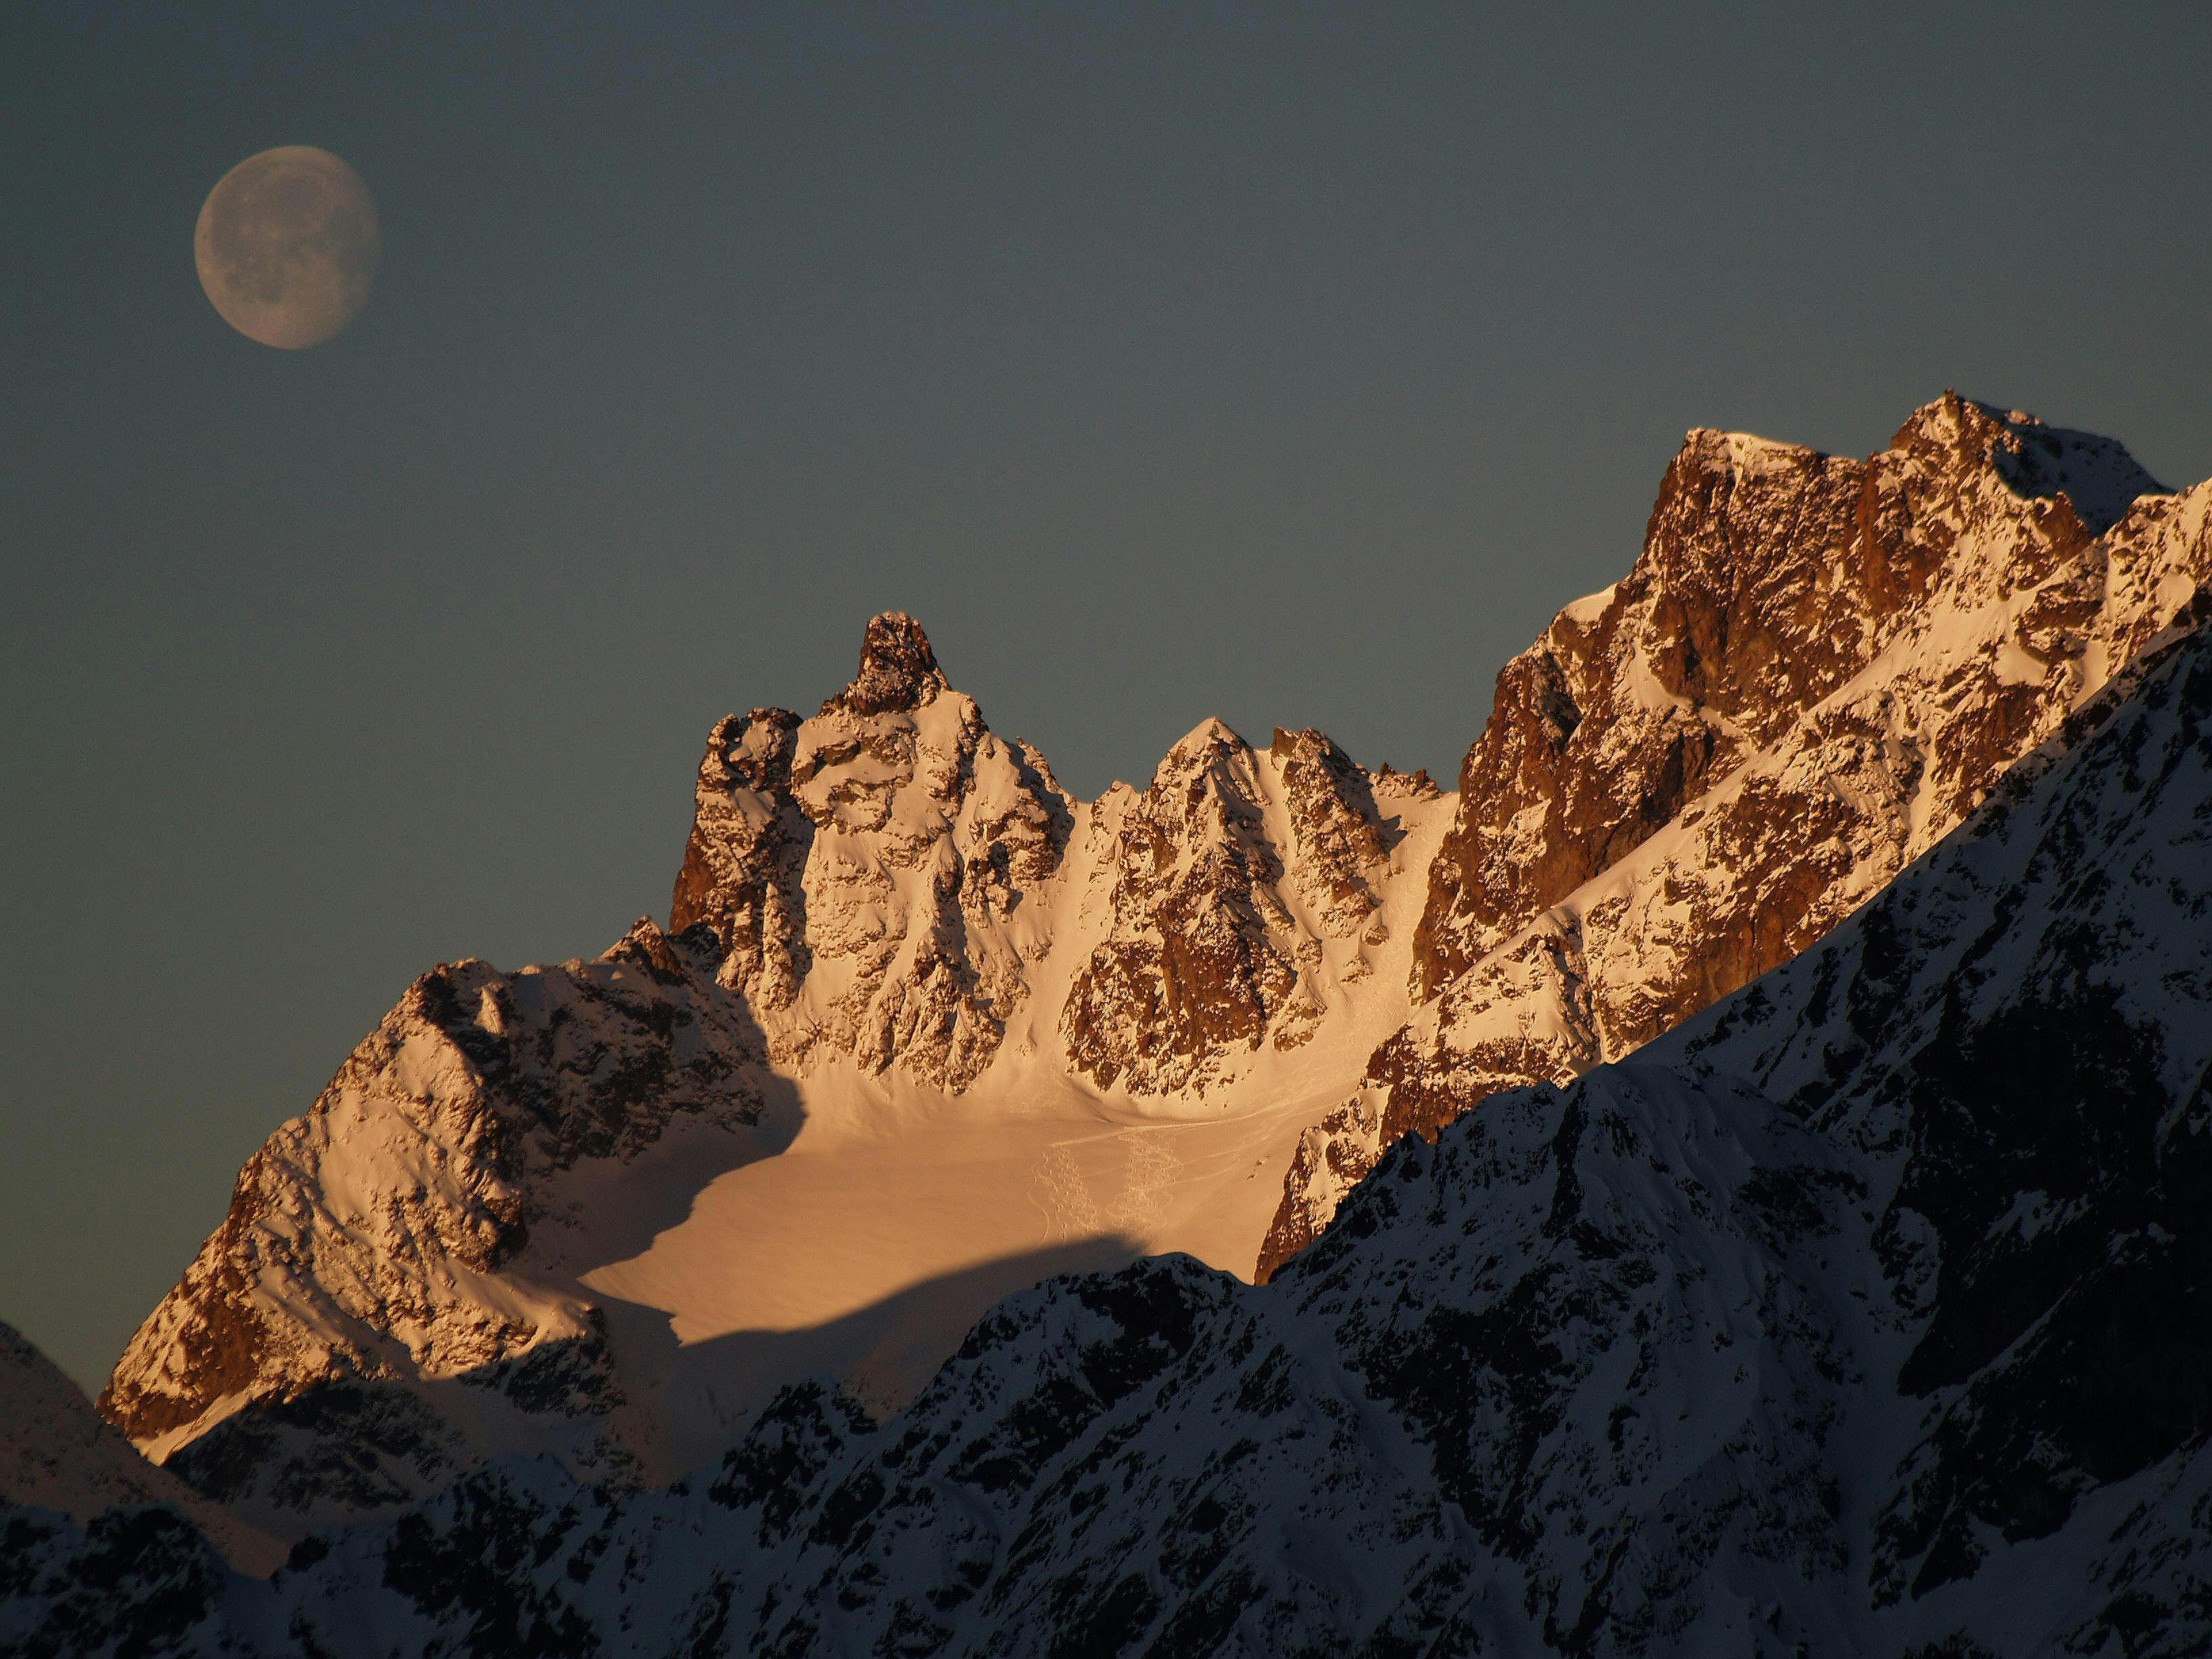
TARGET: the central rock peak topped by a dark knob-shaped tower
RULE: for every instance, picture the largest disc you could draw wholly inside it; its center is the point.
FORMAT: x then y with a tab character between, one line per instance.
864	868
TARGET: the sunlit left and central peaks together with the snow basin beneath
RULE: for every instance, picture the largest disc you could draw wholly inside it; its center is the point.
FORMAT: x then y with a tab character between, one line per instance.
607	1209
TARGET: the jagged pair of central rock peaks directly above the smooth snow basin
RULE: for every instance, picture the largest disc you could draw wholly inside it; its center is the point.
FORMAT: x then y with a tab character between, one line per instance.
886	879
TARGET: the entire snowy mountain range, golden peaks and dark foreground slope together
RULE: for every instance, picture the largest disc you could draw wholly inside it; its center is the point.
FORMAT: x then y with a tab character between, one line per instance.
1726	1180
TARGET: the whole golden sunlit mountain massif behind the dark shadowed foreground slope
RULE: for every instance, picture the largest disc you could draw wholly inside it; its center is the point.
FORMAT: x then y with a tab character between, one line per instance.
926	1030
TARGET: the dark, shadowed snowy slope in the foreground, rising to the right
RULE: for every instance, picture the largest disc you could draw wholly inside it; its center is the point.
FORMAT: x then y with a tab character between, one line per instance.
1864	1313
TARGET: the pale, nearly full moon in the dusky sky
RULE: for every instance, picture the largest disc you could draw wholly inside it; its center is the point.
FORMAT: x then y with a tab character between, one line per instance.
286	247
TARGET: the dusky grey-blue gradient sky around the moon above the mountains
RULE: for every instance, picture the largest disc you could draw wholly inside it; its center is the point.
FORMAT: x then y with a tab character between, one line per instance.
1284	364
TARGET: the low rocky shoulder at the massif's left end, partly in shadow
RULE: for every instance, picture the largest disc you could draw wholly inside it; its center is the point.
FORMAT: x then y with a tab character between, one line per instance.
375	1240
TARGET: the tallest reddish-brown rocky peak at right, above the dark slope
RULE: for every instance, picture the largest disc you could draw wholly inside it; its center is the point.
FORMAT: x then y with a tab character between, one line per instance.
1815	671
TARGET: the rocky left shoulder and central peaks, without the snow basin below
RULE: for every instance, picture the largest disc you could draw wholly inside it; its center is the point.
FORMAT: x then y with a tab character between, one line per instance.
873	888
